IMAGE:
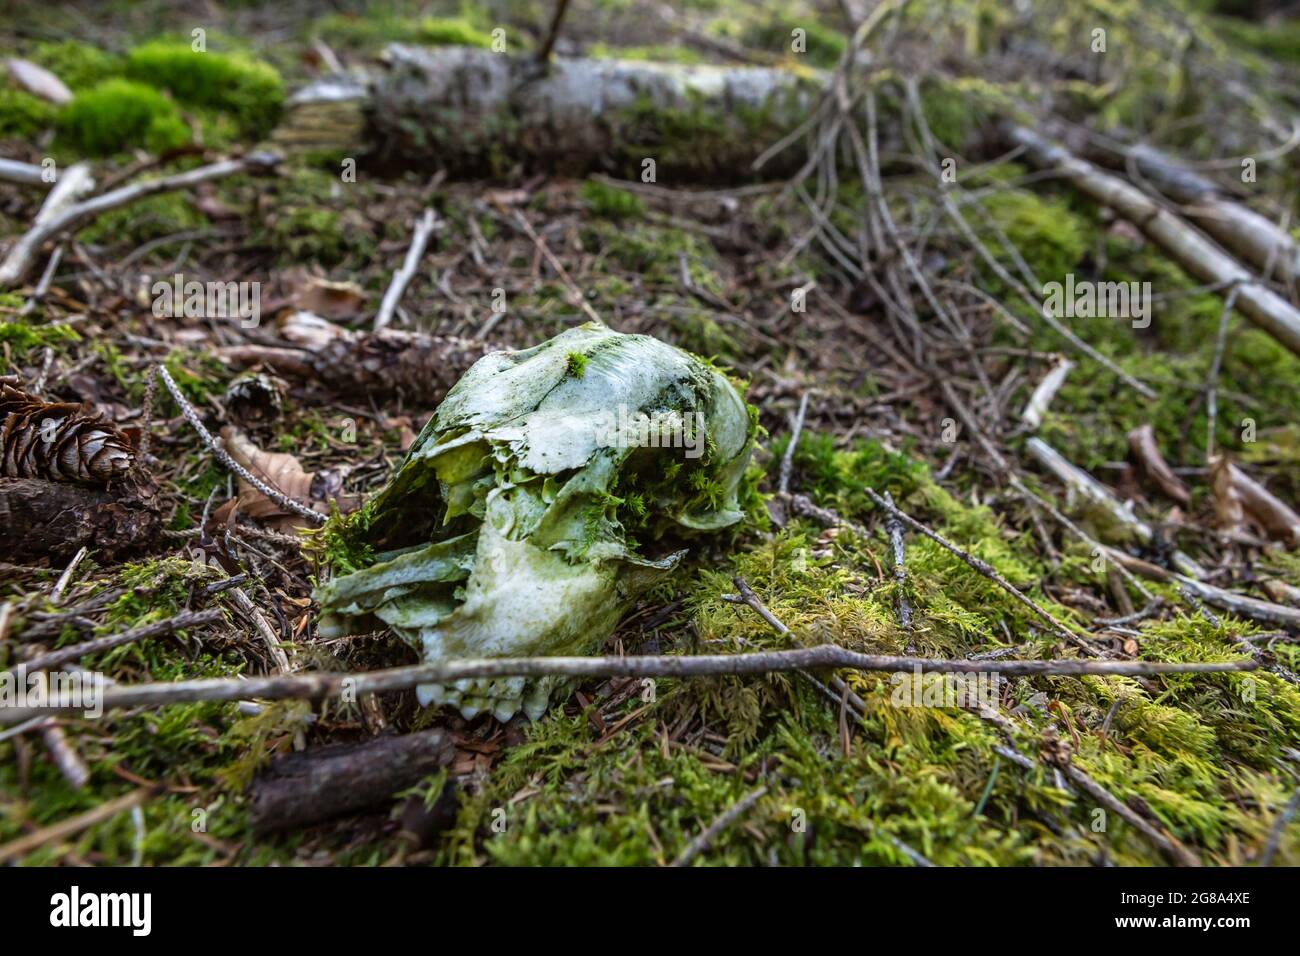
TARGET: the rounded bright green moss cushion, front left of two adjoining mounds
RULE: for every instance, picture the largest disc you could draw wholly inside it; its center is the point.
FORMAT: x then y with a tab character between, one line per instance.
119	115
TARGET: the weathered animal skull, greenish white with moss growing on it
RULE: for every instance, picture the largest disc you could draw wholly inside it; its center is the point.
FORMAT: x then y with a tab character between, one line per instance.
518	524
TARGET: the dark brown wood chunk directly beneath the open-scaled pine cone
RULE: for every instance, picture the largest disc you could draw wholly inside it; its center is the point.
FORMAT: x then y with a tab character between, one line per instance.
51	520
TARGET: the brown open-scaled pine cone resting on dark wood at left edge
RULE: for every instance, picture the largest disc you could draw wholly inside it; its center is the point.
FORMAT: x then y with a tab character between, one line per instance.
58	442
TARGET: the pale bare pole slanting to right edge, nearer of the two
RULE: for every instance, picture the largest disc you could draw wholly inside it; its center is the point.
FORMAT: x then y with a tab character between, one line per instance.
1185	244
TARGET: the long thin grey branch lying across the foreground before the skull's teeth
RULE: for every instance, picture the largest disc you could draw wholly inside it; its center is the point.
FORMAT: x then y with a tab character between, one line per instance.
320	686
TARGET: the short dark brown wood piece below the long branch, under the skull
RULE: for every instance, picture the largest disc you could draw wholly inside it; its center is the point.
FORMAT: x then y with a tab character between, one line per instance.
302	789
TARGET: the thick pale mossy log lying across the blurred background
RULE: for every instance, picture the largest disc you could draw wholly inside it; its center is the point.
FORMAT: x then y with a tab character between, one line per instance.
473	110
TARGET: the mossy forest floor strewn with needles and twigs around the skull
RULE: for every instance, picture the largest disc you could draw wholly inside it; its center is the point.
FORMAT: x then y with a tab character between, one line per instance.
1206	763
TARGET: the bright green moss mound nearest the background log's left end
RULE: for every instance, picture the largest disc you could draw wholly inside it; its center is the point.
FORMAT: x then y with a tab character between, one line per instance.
252	92
